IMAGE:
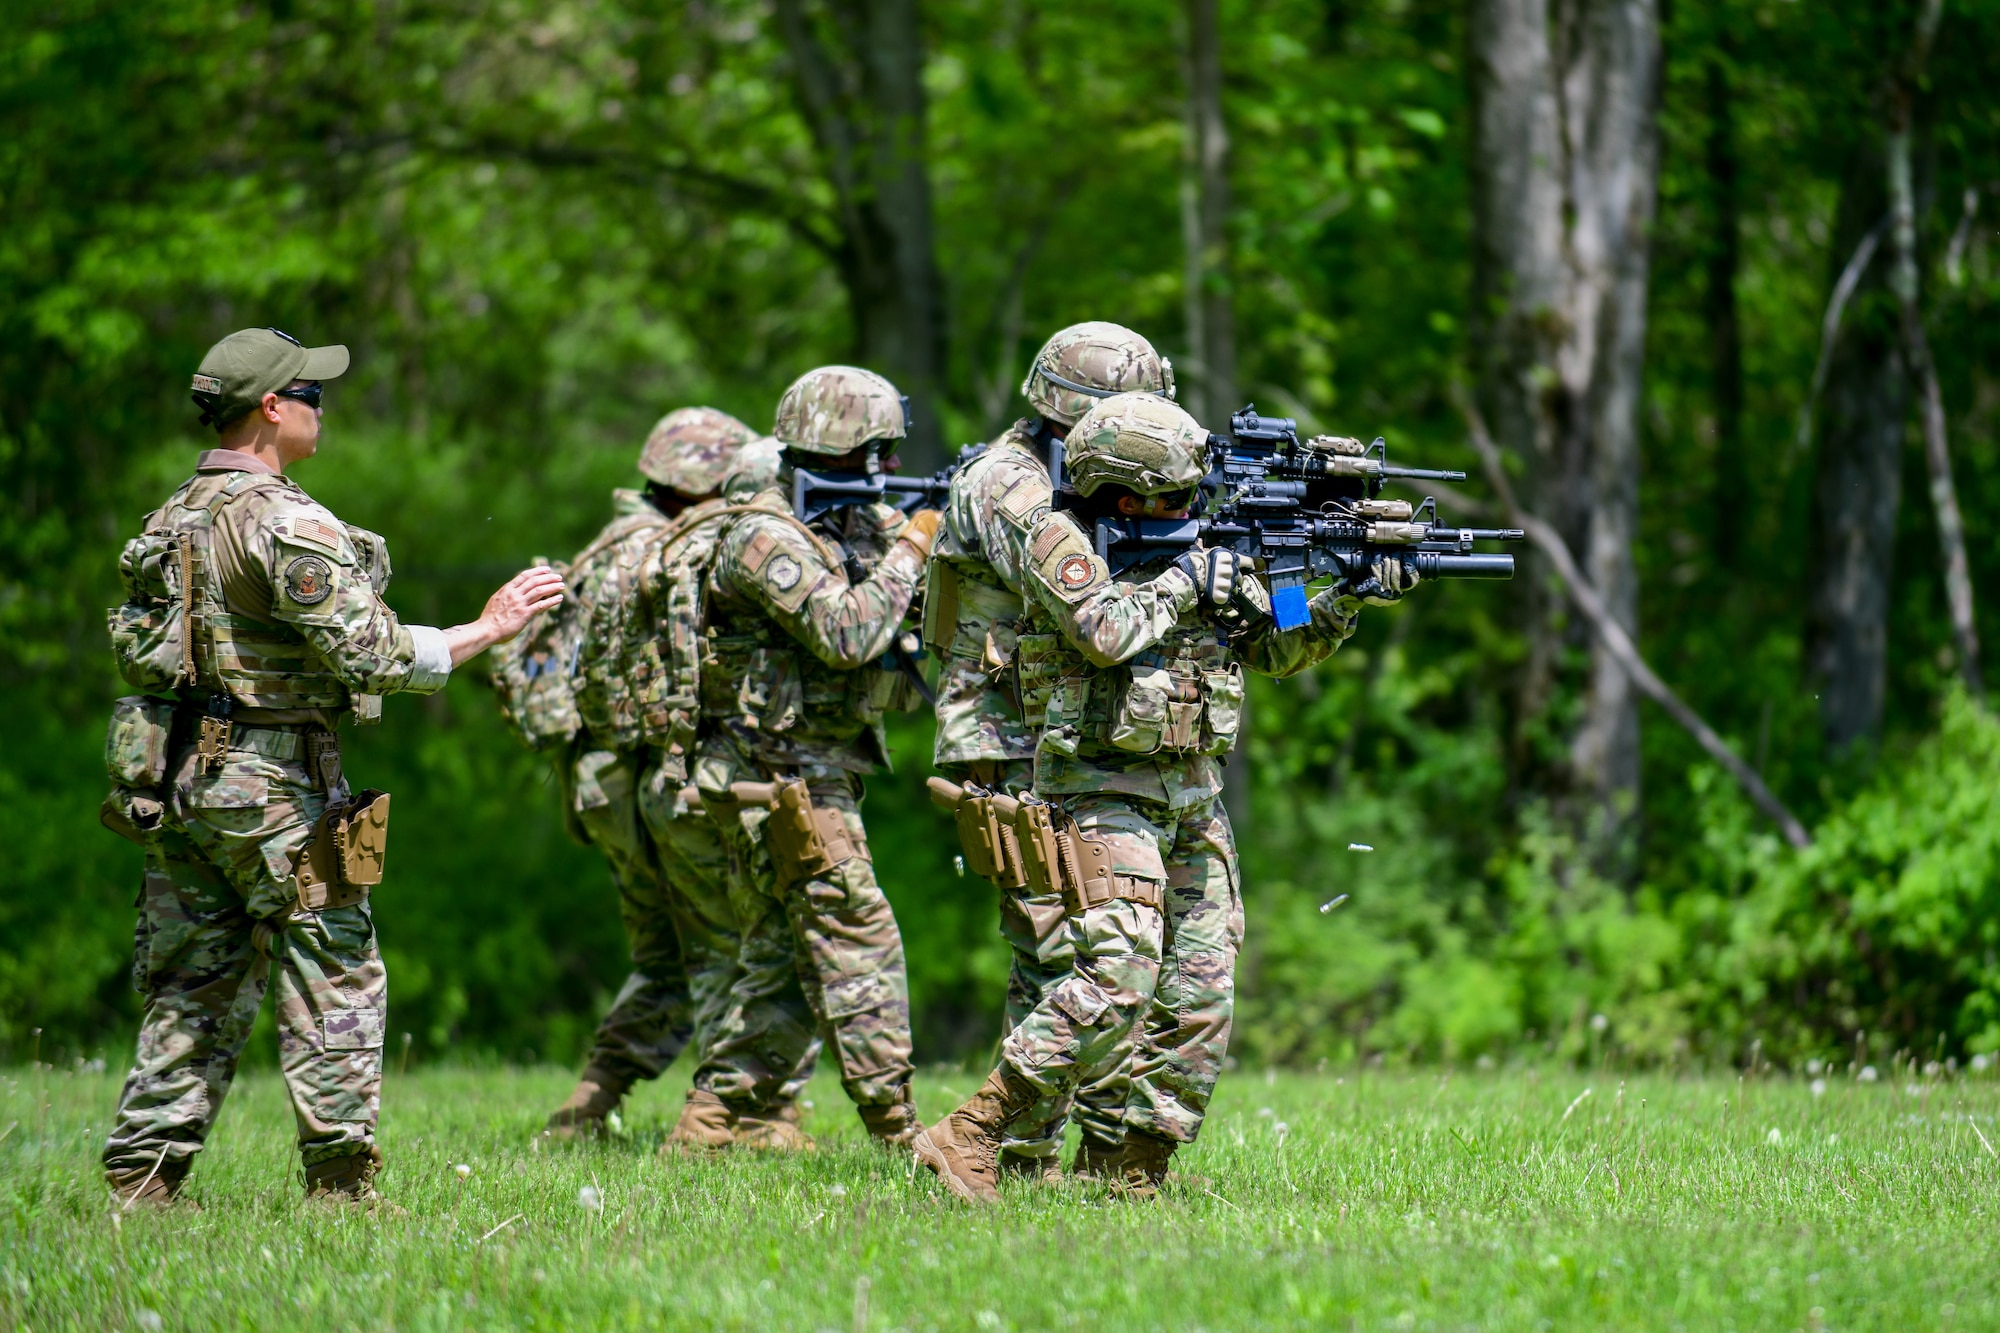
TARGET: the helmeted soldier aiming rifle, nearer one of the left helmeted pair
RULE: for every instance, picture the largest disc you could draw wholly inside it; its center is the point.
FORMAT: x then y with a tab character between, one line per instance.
793	696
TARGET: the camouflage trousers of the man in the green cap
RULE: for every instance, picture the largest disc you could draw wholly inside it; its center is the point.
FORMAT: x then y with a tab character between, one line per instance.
221	862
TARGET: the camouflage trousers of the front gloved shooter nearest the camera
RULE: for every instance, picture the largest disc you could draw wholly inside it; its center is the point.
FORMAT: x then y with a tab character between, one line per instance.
1161	980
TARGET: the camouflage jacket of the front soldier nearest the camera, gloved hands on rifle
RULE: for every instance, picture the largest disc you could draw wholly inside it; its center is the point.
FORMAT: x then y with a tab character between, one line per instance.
1133	690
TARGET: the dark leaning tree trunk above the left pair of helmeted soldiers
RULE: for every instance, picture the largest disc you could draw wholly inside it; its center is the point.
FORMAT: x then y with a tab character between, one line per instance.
859	79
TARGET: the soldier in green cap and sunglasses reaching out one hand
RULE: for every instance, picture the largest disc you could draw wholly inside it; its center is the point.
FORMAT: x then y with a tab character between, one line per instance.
253	623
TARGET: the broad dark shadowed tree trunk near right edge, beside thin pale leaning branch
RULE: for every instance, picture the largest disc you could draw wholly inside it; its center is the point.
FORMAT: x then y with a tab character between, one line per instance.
1859	483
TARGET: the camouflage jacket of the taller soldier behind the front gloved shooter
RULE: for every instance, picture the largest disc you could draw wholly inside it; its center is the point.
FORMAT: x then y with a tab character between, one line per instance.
975	599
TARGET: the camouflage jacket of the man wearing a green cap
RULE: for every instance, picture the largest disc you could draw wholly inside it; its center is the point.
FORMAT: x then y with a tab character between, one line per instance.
289	611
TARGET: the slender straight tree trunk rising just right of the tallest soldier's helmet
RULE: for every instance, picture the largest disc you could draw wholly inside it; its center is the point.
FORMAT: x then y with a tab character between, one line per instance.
1205	211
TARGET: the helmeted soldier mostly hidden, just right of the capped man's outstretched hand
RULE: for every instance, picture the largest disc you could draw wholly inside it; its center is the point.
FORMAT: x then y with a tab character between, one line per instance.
625	794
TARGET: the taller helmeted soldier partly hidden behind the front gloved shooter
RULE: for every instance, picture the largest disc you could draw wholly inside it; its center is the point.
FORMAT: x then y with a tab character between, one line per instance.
971	613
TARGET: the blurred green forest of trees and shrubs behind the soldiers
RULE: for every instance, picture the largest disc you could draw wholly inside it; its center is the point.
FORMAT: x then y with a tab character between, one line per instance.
1611	231
